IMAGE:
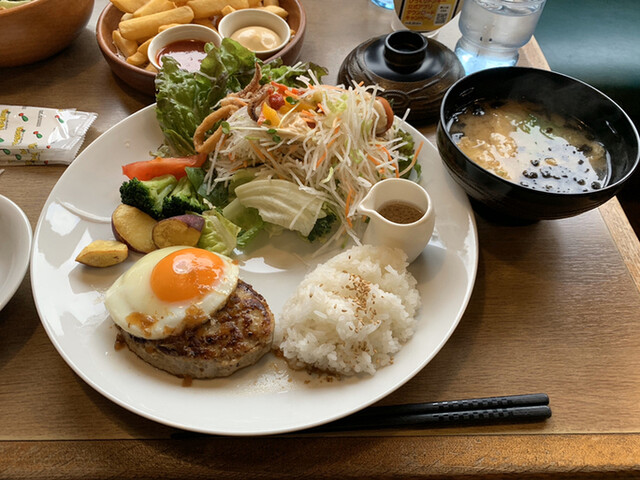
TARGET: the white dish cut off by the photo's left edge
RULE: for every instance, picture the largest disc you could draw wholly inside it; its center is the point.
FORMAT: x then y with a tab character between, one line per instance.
15	246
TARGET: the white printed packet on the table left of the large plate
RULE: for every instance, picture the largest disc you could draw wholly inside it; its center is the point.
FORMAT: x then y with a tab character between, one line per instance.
41	136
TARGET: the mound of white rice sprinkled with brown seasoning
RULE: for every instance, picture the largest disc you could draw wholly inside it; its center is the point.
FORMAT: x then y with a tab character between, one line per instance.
350	314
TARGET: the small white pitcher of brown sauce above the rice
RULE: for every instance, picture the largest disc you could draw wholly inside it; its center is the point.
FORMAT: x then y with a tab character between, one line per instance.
410	237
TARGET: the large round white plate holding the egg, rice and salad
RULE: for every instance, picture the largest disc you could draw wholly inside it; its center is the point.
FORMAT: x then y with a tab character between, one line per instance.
267	397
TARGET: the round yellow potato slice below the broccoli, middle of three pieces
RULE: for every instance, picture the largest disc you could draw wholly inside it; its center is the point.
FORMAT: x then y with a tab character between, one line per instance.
133	227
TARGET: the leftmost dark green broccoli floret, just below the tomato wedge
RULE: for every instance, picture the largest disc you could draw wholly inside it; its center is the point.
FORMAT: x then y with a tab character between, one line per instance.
148	195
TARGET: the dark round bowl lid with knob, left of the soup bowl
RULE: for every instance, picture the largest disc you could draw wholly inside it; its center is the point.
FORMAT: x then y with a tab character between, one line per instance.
415	72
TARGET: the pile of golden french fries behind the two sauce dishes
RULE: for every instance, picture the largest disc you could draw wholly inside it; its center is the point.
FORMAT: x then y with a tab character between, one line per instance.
144	19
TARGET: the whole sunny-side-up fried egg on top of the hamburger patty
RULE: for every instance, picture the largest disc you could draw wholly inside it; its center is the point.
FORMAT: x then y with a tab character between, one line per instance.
170	290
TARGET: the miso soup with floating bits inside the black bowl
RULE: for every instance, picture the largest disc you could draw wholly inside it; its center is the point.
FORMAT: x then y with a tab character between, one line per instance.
522	143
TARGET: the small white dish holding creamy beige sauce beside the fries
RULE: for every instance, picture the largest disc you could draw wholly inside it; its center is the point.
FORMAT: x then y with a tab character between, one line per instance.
252	17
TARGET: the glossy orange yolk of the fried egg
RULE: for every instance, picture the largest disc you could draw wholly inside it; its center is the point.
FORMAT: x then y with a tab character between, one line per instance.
186	274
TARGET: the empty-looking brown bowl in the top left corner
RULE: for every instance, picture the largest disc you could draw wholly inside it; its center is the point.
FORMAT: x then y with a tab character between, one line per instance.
39	29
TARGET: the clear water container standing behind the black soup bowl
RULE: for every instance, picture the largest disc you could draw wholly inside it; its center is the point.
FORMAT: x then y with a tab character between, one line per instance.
494	30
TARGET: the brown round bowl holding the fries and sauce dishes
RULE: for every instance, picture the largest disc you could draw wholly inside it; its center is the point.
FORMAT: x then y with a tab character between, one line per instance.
143	80
